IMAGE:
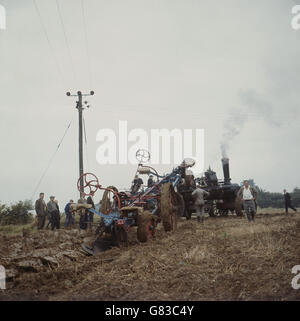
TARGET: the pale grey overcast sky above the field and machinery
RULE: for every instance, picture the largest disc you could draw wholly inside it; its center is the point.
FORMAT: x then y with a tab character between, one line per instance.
231	68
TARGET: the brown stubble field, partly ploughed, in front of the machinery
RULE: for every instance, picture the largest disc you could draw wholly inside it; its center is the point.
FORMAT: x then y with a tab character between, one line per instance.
224	259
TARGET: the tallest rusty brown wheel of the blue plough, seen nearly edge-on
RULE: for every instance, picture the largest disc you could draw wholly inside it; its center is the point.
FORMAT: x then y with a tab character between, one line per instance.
168	207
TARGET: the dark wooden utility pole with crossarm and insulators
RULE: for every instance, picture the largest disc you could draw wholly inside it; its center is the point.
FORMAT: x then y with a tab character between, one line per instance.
80	108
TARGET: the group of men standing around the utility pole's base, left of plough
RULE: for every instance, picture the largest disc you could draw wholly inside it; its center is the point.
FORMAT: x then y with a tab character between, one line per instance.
52	213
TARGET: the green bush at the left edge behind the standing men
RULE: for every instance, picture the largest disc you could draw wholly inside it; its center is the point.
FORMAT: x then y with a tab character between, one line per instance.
16	214
